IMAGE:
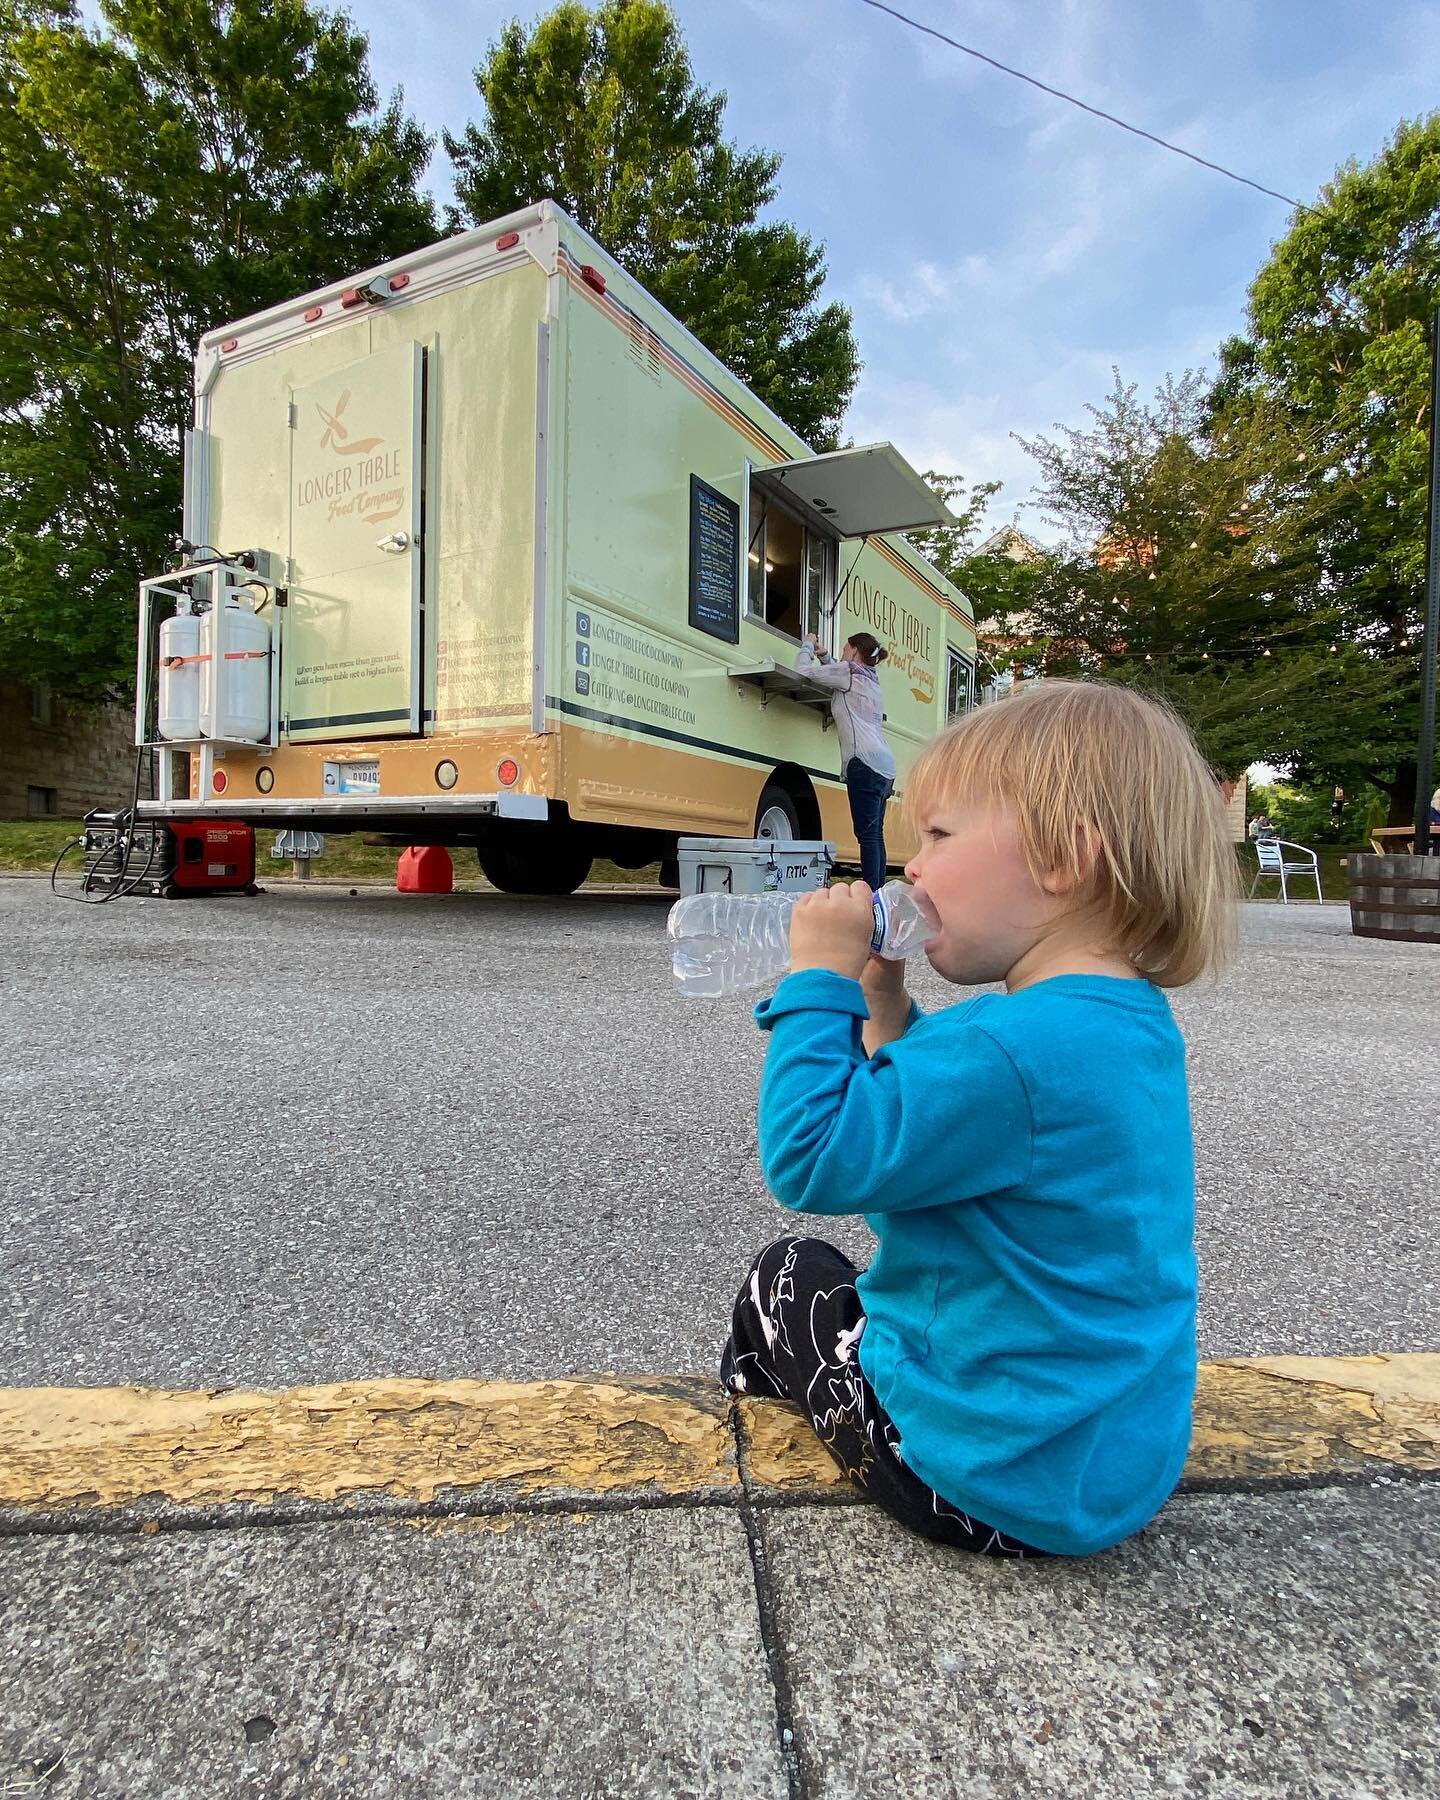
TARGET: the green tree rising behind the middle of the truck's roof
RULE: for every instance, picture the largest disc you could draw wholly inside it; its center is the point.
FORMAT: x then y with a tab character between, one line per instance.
600	112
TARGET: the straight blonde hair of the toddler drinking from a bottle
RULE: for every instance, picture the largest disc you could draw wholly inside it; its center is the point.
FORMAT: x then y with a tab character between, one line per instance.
1110	789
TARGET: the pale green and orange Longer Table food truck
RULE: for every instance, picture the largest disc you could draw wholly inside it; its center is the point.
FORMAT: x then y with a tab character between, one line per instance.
485	550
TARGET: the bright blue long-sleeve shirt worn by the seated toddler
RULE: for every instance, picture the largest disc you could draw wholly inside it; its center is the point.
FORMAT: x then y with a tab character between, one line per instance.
1025	1162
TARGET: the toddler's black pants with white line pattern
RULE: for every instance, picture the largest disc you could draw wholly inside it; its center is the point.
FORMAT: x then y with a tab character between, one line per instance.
795	1336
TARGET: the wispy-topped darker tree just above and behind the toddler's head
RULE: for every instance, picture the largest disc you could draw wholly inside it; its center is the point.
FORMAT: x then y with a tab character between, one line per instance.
1192	568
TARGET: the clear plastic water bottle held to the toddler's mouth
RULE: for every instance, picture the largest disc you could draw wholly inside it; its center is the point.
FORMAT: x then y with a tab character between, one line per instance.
726	944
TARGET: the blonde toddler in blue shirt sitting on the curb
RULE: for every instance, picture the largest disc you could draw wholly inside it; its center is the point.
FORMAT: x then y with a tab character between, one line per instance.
1016	1369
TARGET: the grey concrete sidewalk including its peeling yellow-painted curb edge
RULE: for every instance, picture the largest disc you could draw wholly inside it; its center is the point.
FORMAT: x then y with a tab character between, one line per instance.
636	1588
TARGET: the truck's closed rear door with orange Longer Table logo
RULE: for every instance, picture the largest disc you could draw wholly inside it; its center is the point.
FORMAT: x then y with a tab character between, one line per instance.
352	665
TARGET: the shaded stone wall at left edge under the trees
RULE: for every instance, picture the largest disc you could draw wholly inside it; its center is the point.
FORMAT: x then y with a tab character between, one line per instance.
60	757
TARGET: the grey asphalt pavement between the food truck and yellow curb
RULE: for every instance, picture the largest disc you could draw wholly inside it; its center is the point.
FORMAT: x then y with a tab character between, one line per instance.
316	1137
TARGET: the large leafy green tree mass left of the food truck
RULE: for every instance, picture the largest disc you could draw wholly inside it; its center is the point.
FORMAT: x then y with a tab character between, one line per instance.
193	165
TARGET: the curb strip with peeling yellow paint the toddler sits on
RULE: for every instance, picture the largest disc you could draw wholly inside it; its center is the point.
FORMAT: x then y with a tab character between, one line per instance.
94	1459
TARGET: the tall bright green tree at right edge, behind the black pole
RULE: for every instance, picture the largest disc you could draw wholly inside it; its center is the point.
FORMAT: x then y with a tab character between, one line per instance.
1338	337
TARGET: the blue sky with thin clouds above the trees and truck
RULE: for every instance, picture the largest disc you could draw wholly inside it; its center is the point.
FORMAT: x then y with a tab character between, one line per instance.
1000	249
